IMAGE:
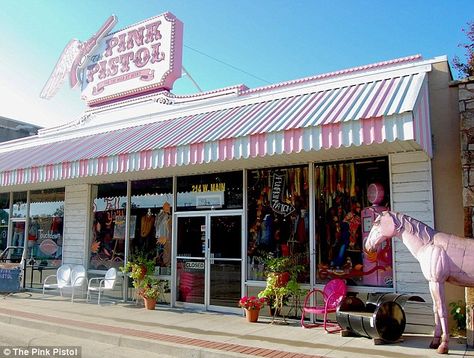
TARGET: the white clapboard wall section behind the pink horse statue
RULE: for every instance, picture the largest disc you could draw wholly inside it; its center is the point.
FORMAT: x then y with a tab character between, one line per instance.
411	194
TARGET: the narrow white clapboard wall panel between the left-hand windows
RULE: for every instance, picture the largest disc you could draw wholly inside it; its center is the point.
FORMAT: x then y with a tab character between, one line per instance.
76	213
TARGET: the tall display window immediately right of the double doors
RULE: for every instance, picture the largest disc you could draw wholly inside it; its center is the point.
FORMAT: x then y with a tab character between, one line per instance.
278	219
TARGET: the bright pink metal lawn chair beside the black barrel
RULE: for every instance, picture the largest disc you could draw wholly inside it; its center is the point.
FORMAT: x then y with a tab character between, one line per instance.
332	294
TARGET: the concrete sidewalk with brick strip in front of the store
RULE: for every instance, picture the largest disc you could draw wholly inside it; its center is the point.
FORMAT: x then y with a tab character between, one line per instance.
184	333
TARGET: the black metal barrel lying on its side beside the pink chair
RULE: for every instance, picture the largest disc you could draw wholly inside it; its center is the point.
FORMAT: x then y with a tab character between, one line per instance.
385	320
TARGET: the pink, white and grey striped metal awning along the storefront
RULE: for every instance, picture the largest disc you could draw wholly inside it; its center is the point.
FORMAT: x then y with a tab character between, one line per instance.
391	109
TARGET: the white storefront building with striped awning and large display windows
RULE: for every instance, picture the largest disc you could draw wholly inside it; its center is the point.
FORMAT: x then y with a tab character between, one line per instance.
210	184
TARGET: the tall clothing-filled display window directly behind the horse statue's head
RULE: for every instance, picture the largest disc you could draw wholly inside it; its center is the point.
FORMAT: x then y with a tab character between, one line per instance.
348	197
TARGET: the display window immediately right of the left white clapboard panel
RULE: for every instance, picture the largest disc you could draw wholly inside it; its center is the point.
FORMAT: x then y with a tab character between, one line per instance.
107	246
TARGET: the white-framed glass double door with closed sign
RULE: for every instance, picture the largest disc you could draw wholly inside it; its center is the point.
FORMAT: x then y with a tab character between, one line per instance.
209	260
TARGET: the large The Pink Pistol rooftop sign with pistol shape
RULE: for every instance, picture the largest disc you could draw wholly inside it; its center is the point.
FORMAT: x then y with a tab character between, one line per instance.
142	58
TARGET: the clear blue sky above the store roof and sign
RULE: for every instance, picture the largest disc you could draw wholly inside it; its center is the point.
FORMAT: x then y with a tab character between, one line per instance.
272	40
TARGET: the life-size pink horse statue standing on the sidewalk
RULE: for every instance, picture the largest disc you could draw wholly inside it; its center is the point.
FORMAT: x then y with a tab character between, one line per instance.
443	257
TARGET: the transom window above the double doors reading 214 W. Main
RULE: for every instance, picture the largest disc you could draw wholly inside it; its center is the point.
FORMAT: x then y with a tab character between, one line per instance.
210	192
